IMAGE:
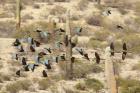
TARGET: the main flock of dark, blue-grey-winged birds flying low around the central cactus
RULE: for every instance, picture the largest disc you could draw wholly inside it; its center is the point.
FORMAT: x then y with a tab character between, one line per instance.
41	57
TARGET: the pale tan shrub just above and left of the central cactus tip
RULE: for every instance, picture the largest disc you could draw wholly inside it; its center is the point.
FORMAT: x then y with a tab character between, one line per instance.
57	10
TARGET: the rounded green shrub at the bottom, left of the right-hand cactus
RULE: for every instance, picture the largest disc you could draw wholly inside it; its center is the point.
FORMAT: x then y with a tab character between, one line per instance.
94	84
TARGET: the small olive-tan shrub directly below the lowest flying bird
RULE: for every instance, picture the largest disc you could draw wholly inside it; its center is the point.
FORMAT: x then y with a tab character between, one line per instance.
44	84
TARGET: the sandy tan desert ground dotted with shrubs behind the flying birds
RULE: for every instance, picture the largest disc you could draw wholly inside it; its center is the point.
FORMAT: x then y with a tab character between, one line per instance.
110	22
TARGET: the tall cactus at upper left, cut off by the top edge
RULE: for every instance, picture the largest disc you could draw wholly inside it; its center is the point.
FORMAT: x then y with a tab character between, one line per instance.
18	14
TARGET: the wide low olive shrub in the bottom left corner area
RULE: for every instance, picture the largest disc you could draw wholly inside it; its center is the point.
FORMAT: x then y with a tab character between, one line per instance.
18	85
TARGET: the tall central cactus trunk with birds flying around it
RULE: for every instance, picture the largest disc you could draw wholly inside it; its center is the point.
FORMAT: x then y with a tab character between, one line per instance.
69	47
